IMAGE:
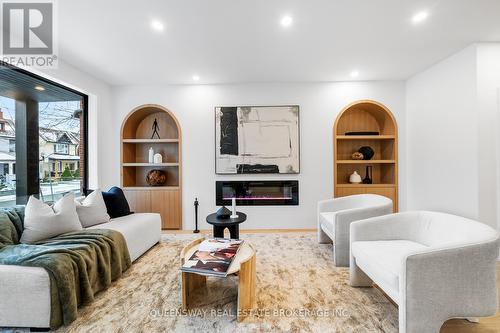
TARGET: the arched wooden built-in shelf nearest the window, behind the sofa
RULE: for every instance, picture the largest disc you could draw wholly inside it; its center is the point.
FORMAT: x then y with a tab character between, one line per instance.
136	140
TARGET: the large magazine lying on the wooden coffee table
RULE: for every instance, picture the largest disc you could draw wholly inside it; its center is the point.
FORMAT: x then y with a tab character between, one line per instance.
213	257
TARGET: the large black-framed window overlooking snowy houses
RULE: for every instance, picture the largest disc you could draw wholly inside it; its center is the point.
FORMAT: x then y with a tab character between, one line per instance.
42	138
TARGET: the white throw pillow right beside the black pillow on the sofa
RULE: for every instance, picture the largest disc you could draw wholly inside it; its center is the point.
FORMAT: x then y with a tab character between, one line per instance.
92	209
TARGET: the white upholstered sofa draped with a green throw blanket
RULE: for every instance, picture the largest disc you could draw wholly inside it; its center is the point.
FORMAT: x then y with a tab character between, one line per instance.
25	291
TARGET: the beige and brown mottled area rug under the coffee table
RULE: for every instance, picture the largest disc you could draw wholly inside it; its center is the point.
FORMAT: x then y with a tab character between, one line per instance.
298	290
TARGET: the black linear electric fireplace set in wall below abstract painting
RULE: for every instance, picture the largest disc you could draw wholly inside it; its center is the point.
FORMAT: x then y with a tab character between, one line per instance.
258	193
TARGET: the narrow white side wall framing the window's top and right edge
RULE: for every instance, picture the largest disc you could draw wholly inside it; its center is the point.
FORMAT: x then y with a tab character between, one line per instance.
99	111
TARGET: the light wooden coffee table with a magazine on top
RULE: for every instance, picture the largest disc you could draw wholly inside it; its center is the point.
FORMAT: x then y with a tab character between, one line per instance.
242	266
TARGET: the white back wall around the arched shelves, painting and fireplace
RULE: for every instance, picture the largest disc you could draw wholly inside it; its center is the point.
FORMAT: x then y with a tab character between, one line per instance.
194	107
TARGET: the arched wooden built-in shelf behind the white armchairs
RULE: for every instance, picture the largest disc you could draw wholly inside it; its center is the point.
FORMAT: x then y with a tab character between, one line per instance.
366	116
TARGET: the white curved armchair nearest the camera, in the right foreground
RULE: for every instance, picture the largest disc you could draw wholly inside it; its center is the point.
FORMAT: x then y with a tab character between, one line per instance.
435	266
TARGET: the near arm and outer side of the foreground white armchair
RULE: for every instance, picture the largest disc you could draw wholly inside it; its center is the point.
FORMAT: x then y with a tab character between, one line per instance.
439	284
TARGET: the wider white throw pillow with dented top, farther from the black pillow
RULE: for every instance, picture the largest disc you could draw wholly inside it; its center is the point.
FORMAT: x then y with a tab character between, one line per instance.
42	221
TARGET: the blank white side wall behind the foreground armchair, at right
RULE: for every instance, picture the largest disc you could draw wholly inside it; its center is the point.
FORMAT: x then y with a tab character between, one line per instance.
453	141
